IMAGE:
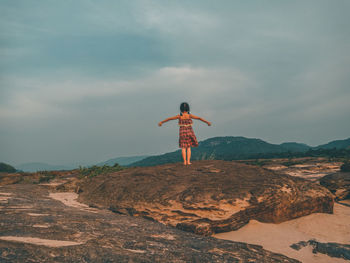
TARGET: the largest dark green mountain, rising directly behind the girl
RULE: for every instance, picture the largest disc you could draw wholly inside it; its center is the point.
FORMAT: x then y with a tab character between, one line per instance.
226	148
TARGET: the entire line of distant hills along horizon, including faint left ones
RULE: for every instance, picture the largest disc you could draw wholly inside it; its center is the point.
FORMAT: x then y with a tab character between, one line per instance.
214	148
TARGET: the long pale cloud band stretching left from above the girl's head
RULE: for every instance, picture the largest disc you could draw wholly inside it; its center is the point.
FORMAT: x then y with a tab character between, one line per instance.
32	98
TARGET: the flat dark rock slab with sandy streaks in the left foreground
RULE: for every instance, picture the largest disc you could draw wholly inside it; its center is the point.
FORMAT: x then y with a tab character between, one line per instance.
36	227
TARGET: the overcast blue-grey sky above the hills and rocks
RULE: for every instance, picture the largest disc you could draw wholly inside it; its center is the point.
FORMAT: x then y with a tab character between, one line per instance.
84	81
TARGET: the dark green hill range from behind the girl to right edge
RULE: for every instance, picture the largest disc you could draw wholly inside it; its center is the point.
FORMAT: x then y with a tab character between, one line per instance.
237	148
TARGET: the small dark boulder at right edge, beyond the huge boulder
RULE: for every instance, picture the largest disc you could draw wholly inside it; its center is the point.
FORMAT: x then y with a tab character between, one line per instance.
338	184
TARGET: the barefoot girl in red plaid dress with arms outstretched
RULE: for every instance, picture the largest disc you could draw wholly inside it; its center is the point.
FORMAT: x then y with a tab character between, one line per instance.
187	138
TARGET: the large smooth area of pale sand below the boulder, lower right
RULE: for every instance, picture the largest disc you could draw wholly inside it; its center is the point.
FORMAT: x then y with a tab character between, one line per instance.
278	237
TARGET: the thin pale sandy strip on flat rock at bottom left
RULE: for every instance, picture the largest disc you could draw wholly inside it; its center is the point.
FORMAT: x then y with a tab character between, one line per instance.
40	241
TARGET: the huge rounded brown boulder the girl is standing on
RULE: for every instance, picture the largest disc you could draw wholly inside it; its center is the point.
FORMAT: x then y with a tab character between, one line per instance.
208	196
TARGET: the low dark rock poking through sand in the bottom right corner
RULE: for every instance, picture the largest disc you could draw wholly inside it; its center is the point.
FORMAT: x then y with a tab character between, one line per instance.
331	249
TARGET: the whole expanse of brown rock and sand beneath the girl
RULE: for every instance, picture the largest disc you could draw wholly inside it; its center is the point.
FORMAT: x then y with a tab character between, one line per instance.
41	220
